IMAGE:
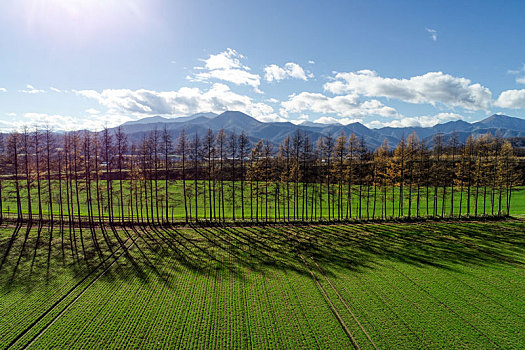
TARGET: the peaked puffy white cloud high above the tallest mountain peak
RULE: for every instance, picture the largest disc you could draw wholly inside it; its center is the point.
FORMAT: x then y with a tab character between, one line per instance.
226	66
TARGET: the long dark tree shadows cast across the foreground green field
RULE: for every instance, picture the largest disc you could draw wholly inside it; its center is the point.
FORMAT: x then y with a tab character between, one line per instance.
33	256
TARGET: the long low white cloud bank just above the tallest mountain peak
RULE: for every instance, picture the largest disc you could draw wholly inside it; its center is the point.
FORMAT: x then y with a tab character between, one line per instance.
184	101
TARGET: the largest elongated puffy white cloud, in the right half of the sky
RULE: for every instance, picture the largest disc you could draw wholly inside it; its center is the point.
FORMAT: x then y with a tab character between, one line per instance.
432	88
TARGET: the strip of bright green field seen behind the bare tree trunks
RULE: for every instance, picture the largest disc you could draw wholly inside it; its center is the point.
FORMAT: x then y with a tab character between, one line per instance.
318	207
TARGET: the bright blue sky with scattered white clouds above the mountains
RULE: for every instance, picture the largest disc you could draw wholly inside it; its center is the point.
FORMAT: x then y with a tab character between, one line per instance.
89	63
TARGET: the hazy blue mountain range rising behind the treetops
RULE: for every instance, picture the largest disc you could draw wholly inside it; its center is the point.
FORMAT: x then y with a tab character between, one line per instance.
275	132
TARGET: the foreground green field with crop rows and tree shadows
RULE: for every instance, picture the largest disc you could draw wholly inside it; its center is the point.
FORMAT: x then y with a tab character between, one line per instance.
426	285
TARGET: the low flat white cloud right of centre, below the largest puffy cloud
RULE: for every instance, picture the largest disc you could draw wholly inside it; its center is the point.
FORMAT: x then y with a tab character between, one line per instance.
342	106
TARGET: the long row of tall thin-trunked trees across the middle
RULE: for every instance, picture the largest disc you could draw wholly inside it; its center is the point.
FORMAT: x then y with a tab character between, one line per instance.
85	177
